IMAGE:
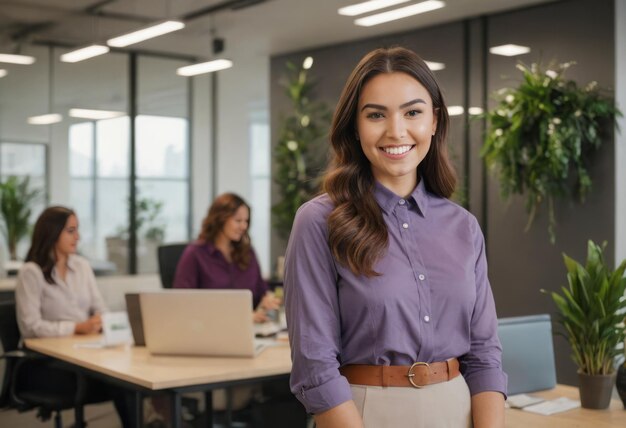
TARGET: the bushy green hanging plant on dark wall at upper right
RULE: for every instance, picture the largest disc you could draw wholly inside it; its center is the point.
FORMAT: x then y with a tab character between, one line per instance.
541	134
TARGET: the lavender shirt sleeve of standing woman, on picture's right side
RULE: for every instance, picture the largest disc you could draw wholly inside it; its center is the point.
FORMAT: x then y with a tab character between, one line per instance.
482	365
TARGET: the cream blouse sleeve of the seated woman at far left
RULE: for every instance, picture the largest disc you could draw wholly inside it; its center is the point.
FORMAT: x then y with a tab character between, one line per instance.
28	297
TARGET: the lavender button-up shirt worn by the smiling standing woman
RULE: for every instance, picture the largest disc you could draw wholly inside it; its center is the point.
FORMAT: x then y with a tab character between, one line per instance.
432	302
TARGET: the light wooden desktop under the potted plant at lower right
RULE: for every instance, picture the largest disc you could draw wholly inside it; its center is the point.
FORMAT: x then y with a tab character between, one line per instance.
613	417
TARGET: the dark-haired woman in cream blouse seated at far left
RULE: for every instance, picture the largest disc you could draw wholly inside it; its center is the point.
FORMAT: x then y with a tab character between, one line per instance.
56	295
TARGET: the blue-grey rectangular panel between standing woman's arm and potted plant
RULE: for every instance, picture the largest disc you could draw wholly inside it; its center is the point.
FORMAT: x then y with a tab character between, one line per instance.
527	353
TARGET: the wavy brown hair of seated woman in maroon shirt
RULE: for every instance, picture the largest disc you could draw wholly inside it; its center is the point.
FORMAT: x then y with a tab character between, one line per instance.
224	207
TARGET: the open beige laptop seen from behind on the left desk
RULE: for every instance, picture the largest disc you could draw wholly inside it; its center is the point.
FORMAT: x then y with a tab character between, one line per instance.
216	323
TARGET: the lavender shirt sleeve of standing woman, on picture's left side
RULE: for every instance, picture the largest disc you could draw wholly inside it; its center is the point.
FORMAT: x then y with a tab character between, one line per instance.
313	316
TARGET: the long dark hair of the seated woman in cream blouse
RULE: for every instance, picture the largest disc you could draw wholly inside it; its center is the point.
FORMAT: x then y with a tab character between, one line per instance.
48	228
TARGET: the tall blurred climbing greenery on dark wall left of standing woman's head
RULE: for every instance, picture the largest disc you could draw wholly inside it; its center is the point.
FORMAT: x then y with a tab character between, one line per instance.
298	165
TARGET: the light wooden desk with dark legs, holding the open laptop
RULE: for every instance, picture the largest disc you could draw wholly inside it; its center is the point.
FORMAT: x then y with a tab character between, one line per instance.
136	369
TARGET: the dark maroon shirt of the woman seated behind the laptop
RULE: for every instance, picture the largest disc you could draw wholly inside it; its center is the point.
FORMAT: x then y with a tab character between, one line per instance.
204	266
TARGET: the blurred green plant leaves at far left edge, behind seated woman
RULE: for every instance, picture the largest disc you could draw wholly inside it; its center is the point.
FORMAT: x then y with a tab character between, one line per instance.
16	199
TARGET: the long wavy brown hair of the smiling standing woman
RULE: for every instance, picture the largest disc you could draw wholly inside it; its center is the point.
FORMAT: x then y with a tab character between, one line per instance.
358	235
